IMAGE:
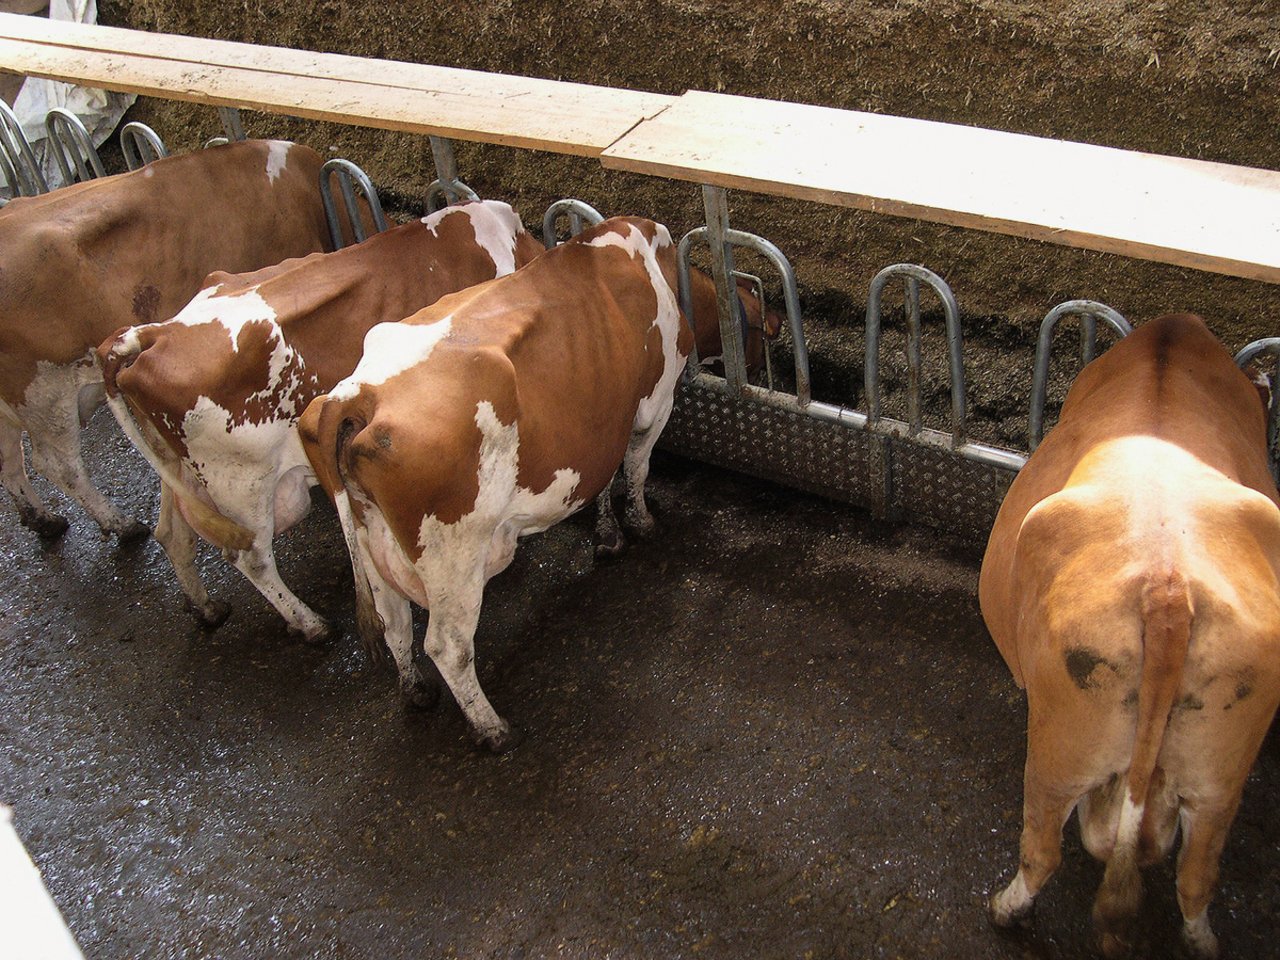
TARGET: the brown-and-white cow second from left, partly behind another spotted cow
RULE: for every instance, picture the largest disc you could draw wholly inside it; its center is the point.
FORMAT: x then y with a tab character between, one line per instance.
213	396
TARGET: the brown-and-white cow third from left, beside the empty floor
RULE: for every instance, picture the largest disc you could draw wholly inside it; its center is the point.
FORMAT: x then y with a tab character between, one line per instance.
495	414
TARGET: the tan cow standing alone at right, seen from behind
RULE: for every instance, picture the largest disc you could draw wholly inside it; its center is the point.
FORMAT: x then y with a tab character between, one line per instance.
1132	584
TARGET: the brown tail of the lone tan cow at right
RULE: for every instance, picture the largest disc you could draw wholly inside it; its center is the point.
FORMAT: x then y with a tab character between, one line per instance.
1167	618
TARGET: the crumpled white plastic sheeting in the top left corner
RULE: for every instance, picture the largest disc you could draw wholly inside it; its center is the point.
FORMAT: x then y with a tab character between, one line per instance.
100	112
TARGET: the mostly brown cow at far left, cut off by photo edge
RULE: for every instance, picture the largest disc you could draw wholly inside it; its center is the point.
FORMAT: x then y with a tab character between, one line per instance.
88	259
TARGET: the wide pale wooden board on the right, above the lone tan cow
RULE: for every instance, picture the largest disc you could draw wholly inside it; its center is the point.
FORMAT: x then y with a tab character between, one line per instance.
1190	213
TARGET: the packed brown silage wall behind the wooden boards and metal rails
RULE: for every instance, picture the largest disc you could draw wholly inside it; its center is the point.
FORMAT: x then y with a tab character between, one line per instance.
1180	77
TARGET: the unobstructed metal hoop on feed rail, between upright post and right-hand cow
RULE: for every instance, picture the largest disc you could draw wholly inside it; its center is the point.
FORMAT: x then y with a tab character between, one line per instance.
916	276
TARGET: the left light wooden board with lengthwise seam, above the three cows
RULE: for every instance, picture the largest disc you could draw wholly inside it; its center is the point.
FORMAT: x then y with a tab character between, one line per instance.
568	118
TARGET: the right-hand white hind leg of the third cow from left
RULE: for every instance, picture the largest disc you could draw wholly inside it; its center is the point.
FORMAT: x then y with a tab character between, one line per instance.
451	646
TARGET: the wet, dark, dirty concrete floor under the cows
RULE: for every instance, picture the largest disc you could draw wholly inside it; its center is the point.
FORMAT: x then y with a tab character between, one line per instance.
776	730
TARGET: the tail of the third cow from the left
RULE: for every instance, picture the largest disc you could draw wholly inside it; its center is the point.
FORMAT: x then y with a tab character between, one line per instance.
335	432
